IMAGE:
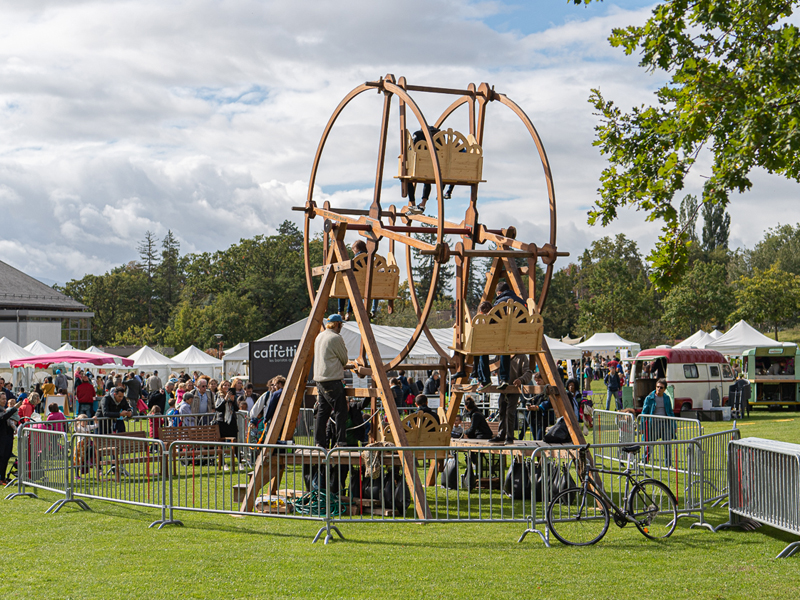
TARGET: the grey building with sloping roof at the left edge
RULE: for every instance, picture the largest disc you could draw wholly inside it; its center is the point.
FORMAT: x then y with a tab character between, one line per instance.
31	310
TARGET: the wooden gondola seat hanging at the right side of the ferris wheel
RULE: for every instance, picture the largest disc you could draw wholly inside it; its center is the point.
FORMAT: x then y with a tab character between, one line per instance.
509	328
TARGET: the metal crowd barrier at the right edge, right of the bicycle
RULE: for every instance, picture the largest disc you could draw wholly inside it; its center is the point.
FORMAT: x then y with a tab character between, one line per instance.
765	486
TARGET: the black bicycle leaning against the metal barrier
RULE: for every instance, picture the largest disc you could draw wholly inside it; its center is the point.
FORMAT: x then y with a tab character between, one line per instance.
580	516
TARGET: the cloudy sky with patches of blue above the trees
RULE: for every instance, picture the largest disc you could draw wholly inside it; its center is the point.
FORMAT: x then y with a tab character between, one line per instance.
203	117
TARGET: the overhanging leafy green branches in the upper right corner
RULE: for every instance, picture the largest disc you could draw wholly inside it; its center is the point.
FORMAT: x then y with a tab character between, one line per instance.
733	92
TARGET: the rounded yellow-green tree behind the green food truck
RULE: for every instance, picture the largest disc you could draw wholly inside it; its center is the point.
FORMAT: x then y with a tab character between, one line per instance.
769	298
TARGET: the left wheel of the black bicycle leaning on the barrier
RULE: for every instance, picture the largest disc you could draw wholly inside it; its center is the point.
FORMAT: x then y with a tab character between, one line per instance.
578	517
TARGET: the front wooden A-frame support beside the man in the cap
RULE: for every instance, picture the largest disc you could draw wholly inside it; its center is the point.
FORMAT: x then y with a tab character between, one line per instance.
288	408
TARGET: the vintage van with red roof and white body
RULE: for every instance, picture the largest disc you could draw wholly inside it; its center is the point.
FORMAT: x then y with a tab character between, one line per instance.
695	374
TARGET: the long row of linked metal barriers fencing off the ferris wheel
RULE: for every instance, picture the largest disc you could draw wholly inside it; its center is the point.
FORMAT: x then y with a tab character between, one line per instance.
510	484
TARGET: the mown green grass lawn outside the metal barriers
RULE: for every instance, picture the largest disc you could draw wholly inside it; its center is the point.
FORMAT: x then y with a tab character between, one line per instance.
110	553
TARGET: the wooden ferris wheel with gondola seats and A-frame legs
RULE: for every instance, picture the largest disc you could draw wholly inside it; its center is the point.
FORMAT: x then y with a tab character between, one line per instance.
436	156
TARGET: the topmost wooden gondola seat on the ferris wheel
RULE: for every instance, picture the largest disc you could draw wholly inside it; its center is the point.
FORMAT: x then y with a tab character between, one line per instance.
460	158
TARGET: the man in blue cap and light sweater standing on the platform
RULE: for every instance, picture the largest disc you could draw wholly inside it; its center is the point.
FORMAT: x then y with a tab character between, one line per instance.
330	357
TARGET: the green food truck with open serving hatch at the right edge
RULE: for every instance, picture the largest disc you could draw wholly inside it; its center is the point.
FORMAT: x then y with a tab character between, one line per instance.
771	372
